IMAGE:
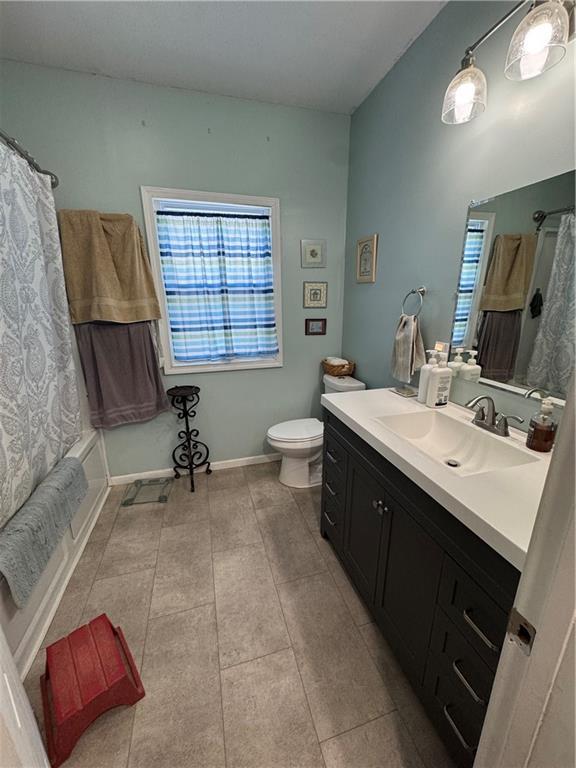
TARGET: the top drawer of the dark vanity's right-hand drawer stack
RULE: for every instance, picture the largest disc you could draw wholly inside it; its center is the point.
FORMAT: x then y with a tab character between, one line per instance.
480	620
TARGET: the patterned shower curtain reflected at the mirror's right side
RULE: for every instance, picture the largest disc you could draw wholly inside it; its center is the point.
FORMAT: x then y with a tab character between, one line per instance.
552	360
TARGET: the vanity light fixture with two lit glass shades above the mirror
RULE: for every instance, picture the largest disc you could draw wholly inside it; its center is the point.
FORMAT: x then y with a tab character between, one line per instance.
538	43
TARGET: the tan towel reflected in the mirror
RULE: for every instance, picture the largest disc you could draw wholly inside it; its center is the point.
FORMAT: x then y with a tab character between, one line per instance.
509	273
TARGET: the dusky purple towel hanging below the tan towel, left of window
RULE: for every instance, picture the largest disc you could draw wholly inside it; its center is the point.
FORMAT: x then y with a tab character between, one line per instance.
121	372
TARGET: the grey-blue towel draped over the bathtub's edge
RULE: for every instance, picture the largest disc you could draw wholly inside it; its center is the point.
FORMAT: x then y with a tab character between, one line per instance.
33	533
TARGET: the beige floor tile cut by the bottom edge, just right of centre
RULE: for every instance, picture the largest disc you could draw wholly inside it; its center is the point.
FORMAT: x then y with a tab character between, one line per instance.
382	742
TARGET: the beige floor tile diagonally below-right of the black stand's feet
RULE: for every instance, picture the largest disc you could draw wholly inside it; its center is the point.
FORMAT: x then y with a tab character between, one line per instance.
232	519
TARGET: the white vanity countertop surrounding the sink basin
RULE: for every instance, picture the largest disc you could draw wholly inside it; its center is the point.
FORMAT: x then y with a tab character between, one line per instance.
498	506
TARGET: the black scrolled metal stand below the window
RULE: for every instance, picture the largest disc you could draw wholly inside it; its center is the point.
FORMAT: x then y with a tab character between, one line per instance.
191	453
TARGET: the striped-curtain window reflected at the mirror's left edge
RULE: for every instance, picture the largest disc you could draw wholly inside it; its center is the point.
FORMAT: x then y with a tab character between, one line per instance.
472	273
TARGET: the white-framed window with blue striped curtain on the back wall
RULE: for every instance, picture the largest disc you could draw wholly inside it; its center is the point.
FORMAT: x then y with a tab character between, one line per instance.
216	261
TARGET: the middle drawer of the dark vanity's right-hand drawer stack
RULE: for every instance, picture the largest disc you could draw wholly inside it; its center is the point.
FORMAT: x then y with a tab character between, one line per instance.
460	662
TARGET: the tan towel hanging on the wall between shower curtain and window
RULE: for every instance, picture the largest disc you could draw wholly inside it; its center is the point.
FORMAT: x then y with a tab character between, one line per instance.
106	268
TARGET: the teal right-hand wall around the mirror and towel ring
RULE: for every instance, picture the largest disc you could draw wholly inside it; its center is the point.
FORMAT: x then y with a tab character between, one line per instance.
412	178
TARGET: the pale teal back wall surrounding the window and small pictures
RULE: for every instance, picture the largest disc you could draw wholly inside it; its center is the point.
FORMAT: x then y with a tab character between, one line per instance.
106	137
